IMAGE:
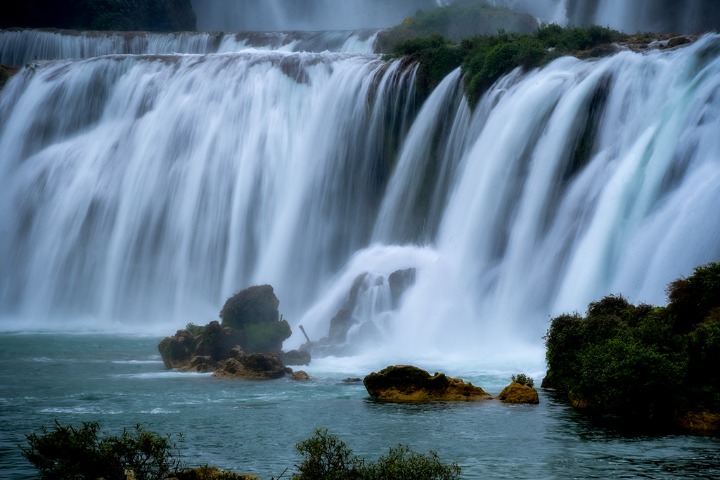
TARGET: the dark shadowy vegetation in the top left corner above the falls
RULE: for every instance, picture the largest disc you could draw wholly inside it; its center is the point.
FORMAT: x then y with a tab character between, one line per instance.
153	15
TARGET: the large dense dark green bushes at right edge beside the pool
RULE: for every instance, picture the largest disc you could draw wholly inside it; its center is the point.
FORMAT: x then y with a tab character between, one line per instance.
643	361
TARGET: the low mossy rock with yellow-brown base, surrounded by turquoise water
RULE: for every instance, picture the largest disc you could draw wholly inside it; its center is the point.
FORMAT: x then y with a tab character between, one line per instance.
406	383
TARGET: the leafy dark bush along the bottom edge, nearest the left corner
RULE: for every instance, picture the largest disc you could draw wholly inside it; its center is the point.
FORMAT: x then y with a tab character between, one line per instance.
69	452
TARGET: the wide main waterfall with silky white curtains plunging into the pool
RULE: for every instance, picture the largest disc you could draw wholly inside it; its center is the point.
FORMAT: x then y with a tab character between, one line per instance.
143	190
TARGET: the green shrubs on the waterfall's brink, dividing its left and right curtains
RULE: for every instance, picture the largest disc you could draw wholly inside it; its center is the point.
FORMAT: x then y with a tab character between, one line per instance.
484	59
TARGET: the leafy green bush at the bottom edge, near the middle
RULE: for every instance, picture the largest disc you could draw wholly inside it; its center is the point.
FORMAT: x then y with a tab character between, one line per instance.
326	457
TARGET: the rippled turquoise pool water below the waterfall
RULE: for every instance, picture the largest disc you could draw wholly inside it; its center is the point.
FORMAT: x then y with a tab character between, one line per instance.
253	426
